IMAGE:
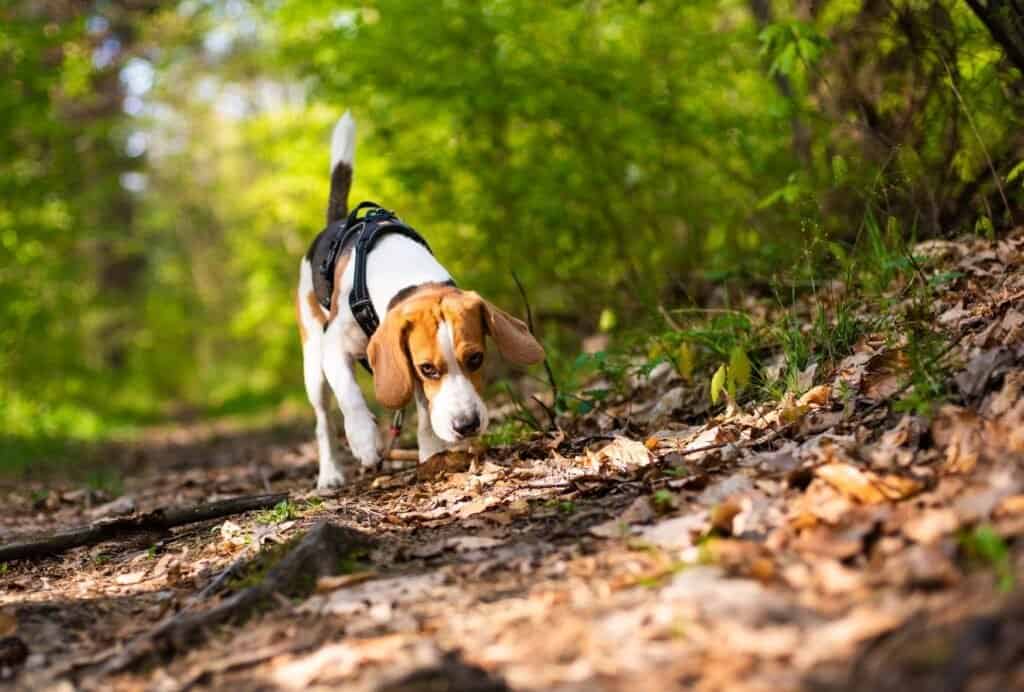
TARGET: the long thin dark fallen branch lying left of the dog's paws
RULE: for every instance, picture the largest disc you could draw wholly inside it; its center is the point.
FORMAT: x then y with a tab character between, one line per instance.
158	521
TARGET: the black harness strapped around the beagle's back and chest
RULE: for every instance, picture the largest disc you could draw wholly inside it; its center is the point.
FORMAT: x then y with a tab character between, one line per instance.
365	232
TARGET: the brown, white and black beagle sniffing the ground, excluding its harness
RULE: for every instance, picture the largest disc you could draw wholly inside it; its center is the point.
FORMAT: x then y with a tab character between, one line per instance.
430	345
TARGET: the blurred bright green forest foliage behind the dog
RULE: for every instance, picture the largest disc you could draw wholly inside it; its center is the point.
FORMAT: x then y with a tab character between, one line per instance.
163	167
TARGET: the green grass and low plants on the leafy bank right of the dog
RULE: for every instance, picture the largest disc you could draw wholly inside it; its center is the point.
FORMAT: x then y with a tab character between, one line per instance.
813	323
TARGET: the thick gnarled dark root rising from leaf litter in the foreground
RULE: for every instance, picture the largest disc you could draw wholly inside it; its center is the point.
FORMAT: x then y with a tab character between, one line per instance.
319	553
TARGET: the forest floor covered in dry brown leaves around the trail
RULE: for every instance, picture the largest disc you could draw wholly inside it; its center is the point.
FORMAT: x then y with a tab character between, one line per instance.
826	542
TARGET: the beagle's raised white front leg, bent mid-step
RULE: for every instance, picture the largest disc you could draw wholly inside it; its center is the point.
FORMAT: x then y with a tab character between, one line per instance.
361	428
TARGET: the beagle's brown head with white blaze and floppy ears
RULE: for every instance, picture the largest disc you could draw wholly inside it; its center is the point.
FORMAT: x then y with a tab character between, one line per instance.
436	339
